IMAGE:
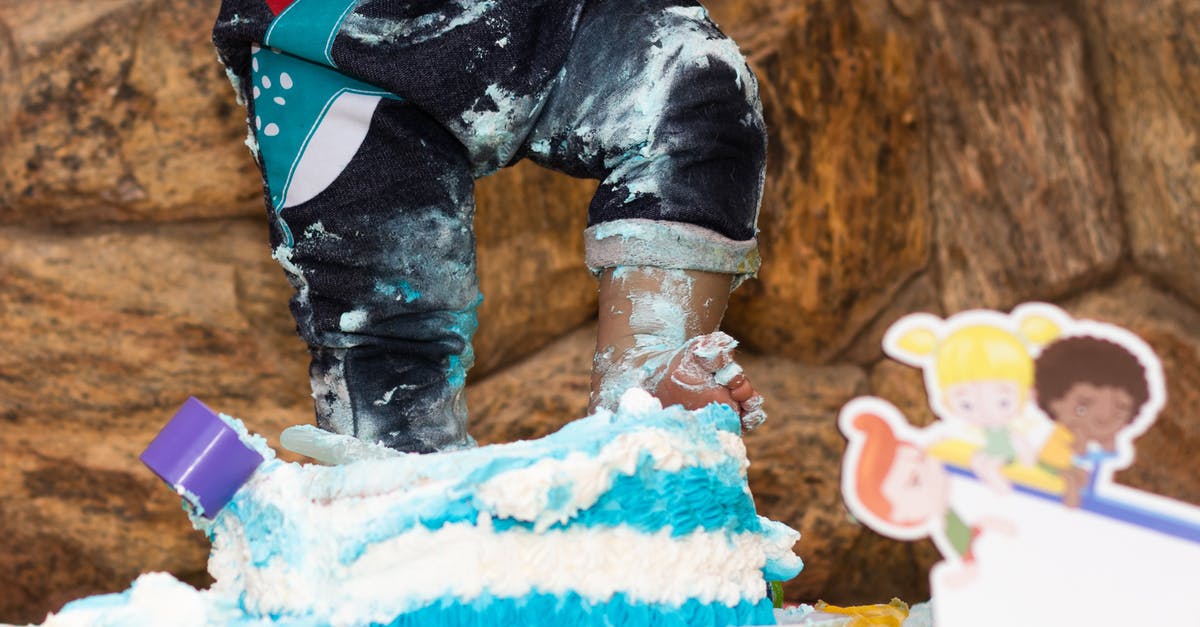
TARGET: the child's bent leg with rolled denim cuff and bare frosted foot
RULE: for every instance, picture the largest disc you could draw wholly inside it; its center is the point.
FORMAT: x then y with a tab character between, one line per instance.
661	106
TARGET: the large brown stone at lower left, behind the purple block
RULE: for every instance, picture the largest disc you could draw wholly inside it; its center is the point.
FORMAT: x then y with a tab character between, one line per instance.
106	332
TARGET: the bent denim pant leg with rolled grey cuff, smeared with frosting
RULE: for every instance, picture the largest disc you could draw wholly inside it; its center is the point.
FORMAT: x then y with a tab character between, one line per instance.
661	106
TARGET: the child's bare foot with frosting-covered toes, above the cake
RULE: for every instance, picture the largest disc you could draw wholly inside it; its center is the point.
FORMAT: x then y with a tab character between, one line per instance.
704	372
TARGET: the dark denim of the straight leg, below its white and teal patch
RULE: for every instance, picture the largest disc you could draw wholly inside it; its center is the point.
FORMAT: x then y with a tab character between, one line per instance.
383	261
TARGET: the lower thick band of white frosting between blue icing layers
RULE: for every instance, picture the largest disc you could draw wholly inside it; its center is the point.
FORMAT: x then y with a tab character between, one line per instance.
464	560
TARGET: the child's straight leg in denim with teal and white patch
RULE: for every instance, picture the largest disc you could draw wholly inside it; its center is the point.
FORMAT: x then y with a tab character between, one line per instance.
373	207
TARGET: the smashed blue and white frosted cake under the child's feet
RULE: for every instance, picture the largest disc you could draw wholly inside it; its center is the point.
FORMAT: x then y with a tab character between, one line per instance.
641	517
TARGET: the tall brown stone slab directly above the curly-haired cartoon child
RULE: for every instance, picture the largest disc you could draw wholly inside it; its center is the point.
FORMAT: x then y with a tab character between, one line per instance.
1022	184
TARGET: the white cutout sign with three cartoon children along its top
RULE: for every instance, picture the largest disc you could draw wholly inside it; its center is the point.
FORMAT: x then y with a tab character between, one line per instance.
1015	481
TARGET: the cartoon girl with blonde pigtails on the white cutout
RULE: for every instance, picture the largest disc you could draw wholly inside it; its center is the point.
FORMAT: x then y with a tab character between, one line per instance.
979	372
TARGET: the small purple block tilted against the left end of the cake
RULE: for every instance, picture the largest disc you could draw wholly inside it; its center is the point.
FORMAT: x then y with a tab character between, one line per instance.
202	458
